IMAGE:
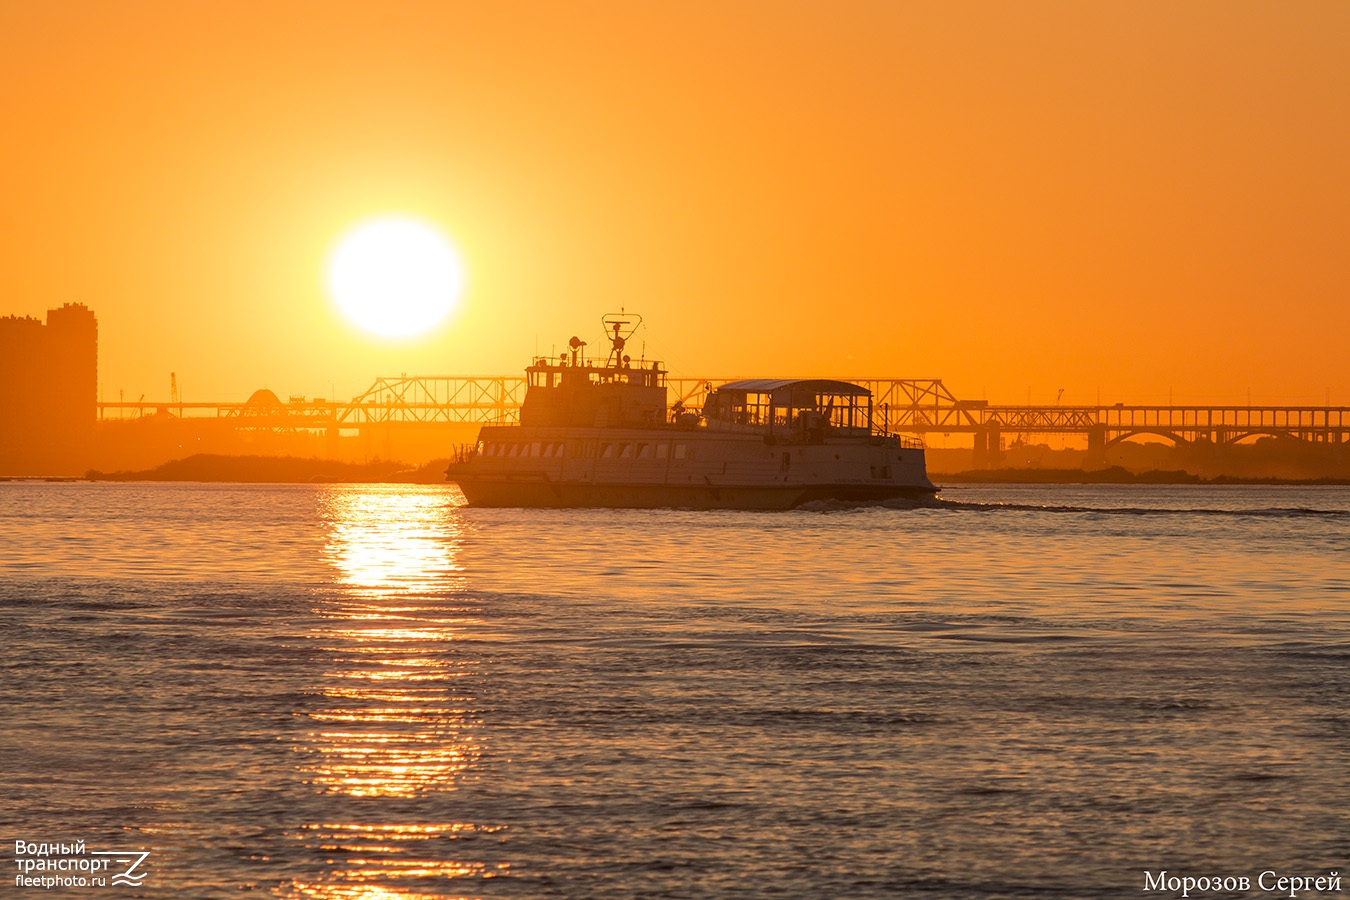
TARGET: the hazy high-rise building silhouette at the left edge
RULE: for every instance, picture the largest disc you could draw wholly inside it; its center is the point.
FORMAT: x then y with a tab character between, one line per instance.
49	392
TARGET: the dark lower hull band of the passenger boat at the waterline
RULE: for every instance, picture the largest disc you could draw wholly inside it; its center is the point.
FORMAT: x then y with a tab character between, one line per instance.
539	493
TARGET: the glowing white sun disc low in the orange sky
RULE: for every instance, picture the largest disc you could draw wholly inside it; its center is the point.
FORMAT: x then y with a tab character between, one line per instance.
395	277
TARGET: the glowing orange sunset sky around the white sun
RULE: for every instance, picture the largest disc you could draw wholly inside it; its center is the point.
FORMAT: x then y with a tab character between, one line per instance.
1117	199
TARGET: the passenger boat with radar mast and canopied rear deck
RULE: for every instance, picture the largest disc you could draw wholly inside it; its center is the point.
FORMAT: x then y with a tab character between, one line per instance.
605	435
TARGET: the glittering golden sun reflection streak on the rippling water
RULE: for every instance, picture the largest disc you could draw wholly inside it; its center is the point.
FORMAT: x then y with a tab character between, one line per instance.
396	723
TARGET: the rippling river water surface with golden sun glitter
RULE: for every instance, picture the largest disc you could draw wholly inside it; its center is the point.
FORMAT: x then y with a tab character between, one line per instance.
377	693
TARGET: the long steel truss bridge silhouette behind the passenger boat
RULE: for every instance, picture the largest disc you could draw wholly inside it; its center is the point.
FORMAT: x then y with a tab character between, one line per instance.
907	405
